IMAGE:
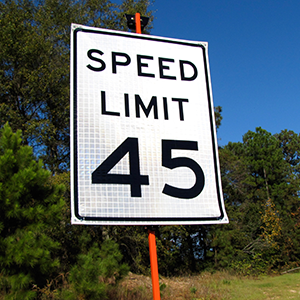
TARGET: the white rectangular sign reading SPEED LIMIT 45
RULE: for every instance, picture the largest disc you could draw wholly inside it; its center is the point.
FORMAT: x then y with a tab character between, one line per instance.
143	140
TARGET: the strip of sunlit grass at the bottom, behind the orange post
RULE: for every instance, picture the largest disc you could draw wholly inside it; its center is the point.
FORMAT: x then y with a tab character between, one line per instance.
217	286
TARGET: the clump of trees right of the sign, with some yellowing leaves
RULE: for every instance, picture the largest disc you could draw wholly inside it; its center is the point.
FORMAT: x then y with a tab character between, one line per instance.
260	181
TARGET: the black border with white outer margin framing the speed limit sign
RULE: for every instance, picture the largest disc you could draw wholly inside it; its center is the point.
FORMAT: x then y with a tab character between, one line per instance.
141	220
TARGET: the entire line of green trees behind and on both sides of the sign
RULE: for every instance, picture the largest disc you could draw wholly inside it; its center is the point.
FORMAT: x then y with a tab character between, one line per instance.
41	255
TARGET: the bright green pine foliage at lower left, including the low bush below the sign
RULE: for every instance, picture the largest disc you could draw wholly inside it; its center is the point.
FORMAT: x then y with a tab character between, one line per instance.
37	243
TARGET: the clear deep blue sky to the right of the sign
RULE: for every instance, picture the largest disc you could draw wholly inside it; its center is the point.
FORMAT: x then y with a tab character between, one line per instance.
254	54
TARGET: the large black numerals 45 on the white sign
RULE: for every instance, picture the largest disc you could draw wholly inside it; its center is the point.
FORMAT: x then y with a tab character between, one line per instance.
136	180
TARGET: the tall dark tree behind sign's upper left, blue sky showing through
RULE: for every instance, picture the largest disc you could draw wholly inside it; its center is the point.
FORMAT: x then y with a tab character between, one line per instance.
34	66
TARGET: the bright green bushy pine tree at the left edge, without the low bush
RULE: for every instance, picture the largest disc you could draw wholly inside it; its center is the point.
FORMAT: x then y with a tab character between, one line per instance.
30	207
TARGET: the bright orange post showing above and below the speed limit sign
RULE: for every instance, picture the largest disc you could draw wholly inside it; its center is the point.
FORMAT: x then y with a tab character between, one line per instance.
151	232
